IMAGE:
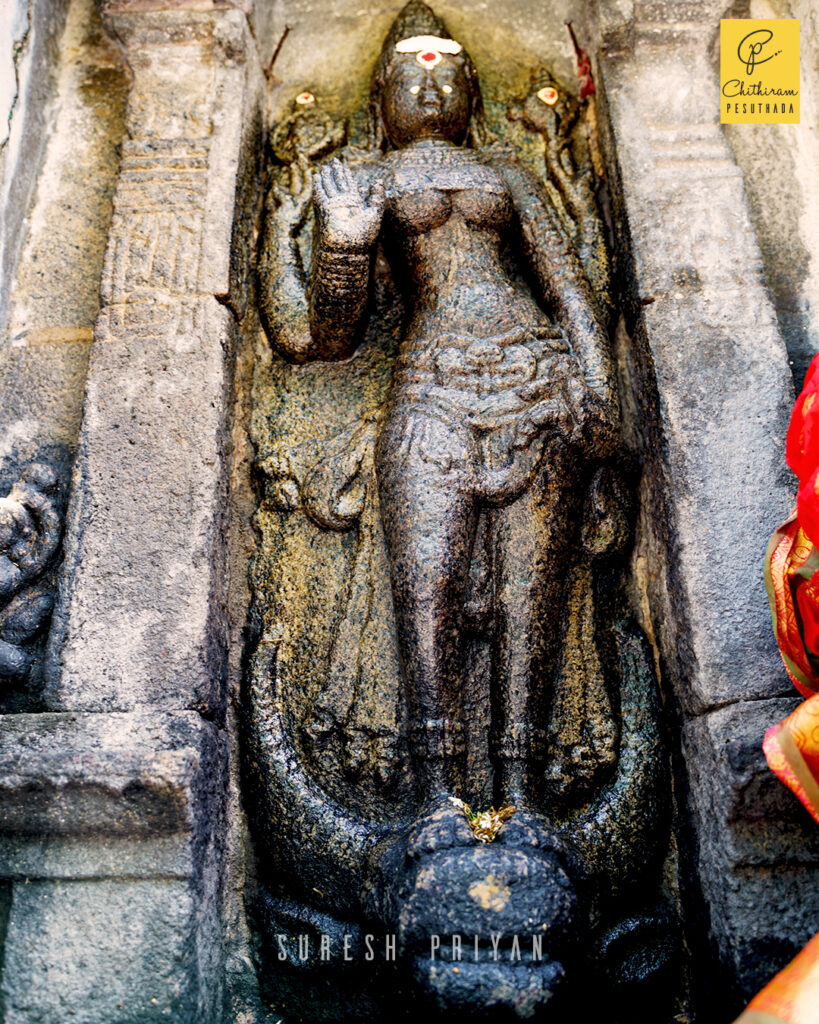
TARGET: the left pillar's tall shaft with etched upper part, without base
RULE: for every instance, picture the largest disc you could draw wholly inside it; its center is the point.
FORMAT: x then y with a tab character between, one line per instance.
158	399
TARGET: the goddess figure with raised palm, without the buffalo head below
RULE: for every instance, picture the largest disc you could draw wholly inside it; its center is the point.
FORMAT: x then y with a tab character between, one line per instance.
503	388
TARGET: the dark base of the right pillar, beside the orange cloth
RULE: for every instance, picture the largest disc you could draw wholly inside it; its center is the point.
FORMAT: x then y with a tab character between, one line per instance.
758	849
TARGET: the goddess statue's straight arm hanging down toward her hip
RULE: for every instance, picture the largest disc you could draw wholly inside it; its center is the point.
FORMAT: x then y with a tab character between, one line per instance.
561	280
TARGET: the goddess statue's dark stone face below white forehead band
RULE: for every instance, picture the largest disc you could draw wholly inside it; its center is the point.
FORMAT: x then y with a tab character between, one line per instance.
432	102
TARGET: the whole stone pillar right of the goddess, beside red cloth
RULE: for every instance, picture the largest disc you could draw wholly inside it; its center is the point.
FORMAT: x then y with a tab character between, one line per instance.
720	396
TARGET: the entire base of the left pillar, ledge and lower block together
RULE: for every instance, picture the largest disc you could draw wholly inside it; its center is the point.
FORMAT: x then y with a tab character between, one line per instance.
108	826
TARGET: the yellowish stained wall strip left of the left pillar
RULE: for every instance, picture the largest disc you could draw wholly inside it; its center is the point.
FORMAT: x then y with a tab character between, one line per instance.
56	296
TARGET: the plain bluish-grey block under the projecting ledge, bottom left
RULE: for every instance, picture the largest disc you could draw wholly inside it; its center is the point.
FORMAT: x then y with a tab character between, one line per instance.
106	953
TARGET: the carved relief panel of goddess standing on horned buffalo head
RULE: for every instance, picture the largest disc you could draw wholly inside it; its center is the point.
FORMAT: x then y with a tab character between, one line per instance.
441	608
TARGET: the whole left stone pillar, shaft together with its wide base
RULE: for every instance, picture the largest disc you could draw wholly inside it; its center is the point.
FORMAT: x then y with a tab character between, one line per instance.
114	799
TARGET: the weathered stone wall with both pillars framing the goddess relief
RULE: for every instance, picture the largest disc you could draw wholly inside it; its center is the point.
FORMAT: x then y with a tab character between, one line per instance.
132	183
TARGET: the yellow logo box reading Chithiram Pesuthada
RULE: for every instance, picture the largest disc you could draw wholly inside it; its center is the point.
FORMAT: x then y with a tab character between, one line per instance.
760	71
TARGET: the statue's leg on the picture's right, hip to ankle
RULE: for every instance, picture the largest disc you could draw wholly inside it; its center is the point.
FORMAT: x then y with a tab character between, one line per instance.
533	539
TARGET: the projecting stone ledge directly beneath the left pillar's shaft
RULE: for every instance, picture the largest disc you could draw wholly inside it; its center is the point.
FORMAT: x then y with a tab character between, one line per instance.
109	776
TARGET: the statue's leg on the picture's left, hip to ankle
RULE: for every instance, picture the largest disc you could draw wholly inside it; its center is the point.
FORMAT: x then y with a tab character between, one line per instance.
426	486
